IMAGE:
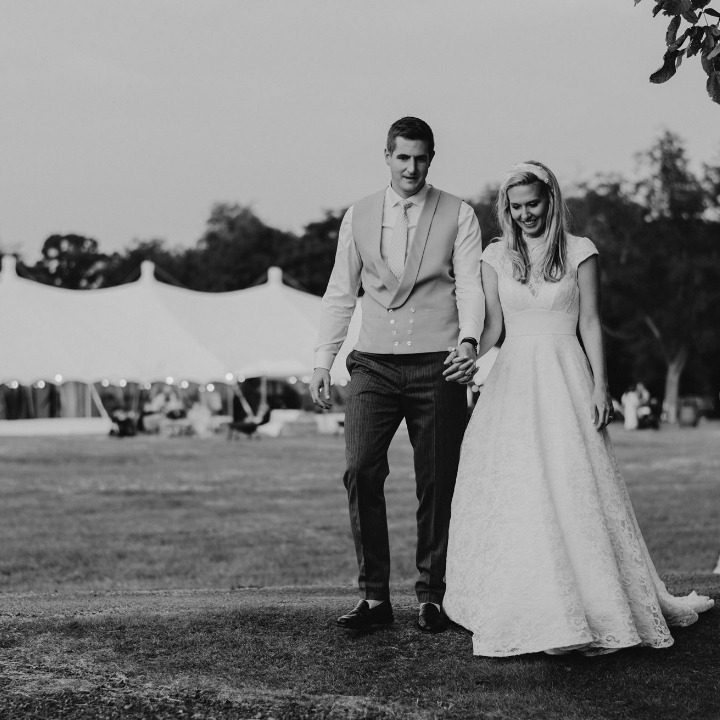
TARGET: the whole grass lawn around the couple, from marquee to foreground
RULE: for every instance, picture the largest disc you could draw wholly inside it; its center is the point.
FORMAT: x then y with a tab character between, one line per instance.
128	565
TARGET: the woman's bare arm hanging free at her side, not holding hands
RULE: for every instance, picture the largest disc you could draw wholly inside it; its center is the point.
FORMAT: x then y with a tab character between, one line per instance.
592	337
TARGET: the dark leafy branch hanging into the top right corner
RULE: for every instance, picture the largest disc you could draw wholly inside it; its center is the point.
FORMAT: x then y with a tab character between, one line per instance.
701	36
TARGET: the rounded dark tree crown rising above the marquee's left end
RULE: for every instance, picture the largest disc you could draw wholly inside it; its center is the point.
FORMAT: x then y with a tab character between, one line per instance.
70	261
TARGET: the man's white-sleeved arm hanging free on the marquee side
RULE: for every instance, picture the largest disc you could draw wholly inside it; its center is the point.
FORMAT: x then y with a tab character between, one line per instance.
336	311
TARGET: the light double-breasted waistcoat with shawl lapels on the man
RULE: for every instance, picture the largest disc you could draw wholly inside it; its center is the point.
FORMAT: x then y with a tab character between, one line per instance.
418	313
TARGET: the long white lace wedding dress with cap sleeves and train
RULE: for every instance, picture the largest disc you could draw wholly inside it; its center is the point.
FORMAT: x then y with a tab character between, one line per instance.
545	553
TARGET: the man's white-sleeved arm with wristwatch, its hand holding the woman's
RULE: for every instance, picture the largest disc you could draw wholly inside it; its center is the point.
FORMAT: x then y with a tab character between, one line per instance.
468	293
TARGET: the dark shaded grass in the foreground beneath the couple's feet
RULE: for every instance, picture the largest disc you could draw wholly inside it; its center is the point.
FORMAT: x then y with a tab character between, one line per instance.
289	660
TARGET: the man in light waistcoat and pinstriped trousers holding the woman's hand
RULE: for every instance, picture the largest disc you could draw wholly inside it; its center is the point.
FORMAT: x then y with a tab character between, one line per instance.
415	251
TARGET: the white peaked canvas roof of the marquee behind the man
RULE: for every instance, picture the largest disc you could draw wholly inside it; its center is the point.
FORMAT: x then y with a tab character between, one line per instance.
148	331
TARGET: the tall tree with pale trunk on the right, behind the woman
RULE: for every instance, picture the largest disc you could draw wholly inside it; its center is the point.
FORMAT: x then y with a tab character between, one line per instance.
661	265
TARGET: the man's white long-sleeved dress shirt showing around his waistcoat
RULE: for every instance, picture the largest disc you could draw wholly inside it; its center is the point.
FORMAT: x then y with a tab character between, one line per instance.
339	300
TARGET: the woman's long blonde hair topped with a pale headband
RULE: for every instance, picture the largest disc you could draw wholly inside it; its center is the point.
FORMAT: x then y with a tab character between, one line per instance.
556	222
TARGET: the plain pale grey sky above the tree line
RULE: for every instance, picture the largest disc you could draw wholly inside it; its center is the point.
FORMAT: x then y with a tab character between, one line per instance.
127	121
